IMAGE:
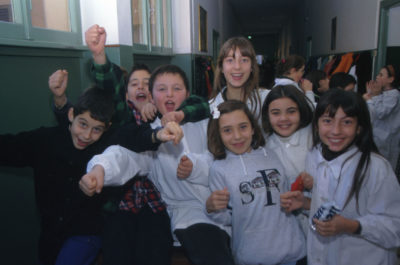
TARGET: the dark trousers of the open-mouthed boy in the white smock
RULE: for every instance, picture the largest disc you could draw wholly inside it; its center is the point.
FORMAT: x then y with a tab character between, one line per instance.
206	244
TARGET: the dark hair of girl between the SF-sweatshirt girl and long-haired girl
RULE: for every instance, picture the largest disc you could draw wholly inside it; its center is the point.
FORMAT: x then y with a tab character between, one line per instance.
287	91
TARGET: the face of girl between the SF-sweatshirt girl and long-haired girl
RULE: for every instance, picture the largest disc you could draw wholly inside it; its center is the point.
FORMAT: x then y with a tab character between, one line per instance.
284	116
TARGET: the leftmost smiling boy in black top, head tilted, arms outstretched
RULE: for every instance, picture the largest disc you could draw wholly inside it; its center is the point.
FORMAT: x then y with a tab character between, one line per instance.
70	222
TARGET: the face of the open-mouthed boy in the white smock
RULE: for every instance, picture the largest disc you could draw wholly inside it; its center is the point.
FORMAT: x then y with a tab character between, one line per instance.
169	92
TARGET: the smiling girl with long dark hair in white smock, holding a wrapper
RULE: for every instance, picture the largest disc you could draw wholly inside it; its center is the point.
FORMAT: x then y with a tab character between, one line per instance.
355	204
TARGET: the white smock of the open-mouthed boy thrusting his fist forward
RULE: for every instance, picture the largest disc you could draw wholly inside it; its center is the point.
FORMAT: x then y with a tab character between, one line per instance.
185	199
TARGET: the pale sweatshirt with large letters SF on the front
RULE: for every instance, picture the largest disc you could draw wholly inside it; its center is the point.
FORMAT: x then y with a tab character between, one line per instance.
262	233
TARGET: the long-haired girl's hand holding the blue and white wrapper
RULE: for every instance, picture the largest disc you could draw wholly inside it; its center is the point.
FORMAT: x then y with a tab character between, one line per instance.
337	225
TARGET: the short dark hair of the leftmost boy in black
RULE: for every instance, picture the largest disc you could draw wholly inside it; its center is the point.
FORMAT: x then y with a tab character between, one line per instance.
99	103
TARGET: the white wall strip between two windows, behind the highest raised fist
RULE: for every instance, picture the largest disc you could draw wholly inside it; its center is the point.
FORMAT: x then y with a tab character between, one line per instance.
113	15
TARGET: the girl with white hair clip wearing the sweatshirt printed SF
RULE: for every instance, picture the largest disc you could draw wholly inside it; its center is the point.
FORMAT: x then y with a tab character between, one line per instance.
262	233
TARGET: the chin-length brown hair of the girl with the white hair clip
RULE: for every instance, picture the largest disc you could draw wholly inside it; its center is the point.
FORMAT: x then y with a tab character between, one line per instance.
214	140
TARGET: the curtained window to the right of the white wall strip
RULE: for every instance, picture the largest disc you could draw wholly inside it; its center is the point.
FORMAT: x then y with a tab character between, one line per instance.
151	20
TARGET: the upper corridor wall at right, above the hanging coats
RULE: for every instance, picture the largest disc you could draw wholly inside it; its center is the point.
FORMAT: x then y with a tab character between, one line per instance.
356	29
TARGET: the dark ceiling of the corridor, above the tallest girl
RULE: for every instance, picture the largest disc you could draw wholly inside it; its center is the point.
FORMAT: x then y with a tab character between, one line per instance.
263	17
